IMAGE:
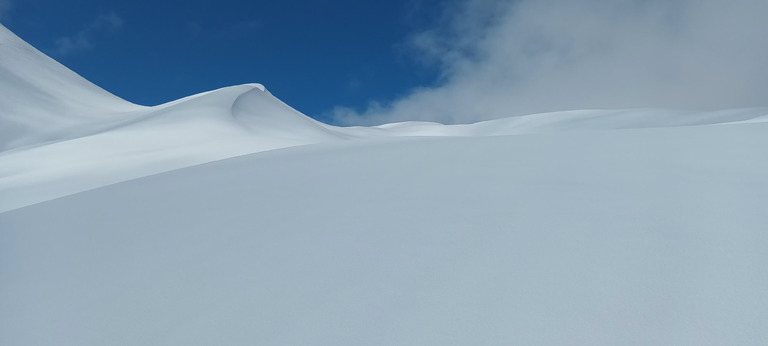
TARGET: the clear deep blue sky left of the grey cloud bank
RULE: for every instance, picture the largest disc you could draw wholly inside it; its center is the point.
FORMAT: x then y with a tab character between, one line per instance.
314	55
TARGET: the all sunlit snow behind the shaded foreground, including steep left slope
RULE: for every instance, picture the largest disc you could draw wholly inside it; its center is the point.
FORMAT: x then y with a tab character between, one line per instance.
64	135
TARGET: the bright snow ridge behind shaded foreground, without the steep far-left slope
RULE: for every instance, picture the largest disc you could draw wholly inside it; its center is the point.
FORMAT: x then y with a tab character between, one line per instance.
246	119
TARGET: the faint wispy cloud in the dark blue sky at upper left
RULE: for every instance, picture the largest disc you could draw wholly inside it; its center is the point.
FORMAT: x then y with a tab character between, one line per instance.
104	23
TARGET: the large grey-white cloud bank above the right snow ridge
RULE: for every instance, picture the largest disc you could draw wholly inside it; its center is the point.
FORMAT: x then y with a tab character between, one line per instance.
505	58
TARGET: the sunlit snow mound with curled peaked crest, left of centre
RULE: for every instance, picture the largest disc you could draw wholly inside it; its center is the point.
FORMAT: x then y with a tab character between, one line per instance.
210	126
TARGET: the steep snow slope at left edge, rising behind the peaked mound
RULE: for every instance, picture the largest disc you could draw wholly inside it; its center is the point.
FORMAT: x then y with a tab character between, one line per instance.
42	100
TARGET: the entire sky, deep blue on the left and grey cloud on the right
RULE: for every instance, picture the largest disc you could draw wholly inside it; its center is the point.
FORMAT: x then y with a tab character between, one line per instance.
451	61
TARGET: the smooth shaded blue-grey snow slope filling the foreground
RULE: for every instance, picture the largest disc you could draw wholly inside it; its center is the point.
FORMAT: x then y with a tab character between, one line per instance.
636	237
